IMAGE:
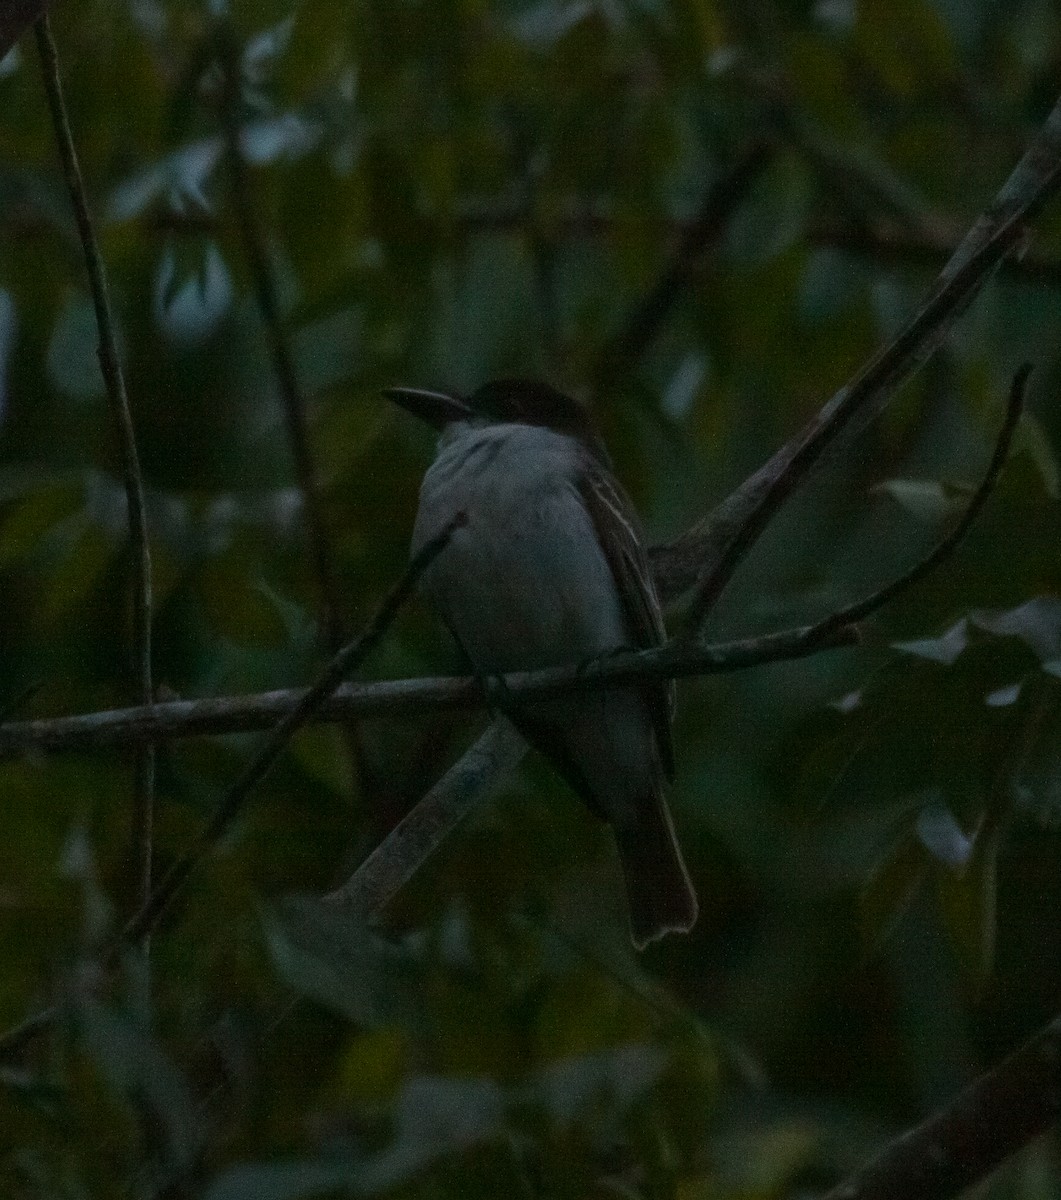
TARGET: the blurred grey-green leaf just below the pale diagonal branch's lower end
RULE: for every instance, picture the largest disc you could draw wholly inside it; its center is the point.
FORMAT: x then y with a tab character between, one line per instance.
334	958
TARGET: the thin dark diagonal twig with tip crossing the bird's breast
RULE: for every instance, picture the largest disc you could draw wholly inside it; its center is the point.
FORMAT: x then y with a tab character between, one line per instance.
346	661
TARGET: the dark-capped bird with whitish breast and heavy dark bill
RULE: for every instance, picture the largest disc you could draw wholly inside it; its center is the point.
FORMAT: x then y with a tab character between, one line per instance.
547	566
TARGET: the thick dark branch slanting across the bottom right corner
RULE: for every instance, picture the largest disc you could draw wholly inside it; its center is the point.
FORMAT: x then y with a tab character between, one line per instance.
998	1114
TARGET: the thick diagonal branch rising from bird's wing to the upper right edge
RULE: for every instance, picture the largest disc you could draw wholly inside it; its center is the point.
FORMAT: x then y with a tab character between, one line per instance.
710	553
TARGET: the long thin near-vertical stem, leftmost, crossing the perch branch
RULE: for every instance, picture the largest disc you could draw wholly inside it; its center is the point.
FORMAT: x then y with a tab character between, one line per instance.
133	479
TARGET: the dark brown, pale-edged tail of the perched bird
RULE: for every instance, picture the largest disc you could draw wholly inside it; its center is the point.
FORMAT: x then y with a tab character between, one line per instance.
660	892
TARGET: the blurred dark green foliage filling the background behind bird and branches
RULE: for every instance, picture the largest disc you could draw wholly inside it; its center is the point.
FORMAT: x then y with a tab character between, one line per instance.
452	190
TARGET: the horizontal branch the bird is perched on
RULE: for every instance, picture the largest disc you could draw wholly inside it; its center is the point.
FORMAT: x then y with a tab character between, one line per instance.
241	715
